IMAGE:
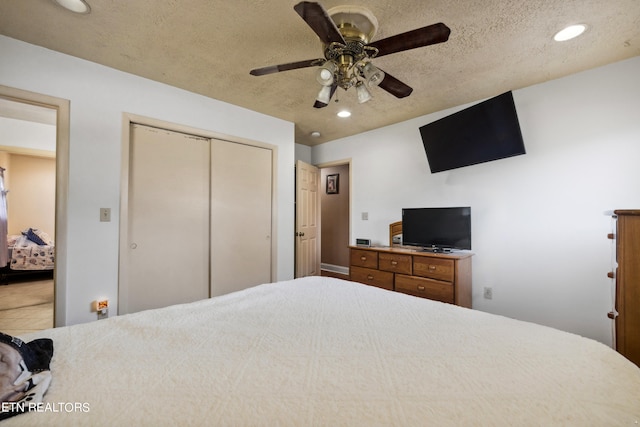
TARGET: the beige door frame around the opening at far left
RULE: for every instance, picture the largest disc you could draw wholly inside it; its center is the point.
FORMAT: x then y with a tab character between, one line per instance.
62	106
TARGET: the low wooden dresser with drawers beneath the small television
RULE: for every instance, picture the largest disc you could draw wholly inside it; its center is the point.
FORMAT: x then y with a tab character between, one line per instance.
441	277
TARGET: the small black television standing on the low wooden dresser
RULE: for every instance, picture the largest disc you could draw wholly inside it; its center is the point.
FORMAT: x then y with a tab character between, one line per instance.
438	229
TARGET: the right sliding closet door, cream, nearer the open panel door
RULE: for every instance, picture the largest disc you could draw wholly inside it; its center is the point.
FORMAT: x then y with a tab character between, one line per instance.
241	196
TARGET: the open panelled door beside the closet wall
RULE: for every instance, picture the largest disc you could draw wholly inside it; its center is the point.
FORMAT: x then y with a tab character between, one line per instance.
307	220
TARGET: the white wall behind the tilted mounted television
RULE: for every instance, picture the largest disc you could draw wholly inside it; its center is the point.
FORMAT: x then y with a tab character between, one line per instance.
538	224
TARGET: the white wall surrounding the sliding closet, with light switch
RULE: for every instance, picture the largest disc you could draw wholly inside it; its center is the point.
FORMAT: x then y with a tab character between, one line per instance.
99	96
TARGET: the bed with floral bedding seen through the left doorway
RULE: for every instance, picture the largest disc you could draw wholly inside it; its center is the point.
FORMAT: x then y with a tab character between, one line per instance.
31	256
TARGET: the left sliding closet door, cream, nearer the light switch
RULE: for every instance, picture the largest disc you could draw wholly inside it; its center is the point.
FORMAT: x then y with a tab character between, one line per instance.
168	219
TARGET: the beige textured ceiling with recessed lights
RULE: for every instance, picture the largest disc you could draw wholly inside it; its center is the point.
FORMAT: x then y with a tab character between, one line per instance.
209	46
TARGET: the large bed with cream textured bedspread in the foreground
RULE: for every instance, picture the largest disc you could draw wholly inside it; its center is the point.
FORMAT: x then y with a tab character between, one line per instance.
324	351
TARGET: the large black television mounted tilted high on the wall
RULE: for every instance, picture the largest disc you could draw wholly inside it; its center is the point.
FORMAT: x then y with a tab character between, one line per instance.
481	133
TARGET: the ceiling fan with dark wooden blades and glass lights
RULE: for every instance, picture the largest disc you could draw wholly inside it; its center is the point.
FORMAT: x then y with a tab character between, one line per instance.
346	32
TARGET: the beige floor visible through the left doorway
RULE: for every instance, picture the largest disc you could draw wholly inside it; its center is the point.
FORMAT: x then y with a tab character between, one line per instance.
26	307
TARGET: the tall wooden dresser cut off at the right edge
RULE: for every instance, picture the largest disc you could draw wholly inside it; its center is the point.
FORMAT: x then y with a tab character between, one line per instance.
627	277
